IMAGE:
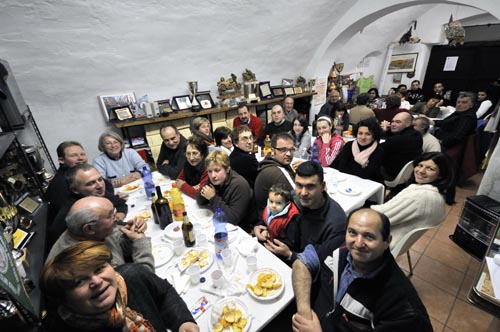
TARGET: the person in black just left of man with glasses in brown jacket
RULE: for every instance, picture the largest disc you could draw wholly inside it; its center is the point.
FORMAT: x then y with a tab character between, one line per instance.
242	159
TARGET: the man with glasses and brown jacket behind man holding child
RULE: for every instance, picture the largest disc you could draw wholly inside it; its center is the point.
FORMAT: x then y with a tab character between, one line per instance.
275	168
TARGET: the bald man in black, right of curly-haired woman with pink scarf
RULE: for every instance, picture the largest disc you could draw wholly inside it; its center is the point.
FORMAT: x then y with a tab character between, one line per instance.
403	144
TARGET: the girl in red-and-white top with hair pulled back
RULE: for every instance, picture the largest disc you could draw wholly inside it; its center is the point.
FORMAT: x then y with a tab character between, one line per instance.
329	145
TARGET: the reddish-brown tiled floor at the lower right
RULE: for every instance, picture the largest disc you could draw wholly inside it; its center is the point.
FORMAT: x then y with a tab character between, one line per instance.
443	274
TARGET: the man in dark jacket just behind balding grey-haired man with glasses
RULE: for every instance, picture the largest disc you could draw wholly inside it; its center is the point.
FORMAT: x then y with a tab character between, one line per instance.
83	180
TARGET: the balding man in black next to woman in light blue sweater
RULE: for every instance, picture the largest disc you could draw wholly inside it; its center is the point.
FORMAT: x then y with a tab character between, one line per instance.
172	153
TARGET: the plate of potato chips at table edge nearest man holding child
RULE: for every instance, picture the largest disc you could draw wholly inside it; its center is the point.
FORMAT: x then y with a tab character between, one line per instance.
265	284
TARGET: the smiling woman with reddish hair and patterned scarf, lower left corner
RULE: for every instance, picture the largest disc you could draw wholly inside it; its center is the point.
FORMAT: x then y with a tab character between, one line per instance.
85	293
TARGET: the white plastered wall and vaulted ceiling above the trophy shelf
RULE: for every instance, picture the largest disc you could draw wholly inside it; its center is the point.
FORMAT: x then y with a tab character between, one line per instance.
65	54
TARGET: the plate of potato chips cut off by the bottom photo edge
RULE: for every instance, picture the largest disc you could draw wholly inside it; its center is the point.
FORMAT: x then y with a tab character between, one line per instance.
229	315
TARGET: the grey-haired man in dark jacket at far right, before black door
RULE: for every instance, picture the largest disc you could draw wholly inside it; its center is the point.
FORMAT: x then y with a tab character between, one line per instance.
454	130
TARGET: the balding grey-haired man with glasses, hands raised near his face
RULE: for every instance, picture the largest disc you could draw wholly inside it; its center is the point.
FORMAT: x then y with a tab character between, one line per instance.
94	218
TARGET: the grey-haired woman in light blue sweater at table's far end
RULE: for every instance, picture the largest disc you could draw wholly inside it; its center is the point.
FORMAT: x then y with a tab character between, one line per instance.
115	163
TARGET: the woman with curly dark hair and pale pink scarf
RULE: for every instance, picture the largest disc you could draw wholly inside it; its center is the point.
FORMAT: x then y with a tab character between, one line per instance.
363	156
